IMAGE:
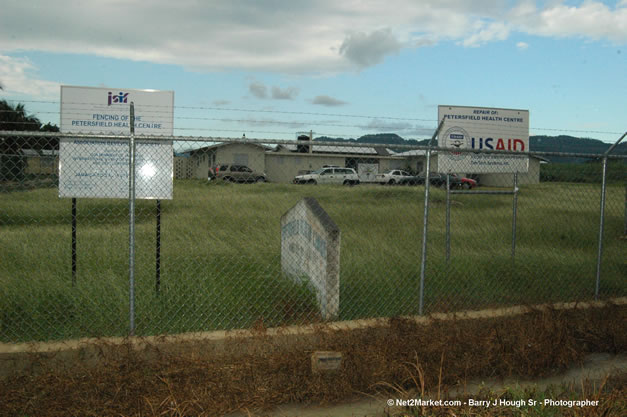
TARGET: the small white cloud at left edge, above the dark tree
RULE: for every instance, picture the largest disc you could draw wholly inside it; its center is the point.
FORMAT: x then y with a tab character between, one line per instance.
19	76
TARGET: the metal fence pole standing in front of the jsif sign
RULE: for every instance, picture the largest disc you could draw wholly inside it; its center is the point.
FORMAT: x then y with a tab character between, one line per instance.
131	200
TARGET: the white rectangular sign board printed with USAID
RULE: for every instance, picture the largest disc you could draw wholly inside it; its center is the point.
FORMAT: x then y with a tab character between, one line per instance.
483	128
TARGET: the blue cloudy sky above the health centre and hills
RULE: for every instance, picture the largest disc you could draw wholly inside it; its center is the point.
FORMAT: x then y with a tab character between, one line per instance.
271	69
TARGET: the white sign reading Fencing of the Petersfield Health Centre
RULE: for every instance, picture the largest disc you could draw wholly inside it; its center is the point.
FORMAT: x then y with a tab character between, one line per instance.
99	168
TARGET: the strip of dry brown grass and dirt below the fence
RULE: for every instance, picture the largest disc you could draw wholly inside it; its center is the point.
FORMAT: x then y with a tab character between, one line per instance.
253	375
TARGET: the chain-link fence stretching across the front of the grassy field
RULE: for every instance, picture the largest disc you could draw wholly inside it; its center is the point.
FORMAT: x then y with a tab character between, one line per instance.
269	233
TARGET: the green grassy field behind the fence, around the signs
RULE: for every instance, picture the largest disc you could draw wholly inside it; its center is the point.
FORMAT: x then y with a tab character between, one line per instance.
220	264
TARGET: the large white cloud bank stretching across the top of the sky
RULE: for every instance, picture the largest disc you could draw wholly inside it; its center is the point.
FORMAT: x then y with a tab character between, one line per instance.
300	36
